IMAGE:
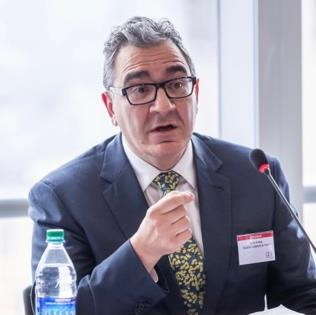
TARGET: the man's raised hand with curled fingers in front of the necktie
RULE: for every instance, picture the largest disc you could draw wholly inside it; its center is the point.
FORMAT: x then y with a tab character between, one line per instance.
164	229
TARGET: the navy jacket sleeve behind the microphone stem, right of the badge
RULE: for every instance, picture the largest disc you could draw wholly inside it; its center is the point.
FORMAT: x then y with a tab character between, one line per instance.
292	277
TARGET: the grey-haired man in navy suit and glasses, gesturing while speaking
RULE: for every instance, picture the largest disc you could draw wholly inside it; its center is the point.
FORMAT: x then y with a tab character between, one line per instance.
155	216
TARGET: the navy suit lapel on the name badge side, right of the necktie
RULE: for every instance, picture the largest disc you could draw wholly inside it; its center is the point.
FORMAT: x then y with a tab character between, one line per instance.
215	212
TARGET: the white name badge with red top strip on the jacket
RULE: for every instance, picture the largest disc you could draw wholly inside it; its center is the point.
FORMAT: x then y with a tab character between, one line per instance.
255	248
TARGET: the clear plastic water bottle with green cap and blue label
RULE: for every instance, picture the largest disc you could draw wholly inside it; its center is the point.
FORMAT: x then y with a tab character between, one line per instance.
55	278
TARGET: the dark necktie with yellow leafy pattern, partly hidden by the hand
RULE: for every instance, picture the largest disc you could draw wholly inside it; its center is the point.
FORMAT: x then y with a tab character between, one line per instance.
187	264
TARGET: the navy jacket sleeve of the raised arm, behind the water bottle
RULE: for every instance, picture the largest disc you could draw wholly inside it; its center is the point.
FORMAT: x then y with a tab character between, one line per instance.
118	285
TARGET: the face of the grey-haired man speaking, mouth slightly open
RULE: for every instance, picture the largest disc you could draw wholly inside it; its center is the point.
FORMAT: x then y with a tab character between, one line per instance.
158	132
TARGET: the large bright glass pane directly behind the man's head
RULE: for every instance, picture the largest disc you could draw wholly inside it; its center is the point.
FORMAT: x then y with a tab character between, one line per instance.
51	77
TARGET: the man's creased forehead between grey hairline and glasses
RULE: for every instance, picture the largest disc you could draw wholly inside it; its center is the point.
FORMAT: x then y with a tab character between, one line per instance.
152	63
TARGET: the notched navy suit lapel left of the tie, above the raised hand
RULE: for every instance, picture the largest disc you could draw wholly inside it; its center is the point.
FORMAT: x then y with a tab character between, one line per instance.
123	193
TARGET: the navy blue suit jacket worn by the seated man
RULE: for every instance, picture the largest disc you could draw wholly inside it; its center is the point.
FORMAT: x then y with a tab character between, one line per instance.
97	199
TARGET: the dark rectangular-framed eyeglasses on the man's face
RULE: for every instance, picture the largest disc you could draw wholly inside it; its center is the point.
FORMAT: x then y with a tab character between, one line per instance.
145	93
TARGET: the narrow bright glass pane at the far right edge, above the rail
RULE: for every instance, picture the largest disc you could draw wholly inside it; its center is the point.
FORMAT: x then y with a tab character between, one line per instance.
309	91
